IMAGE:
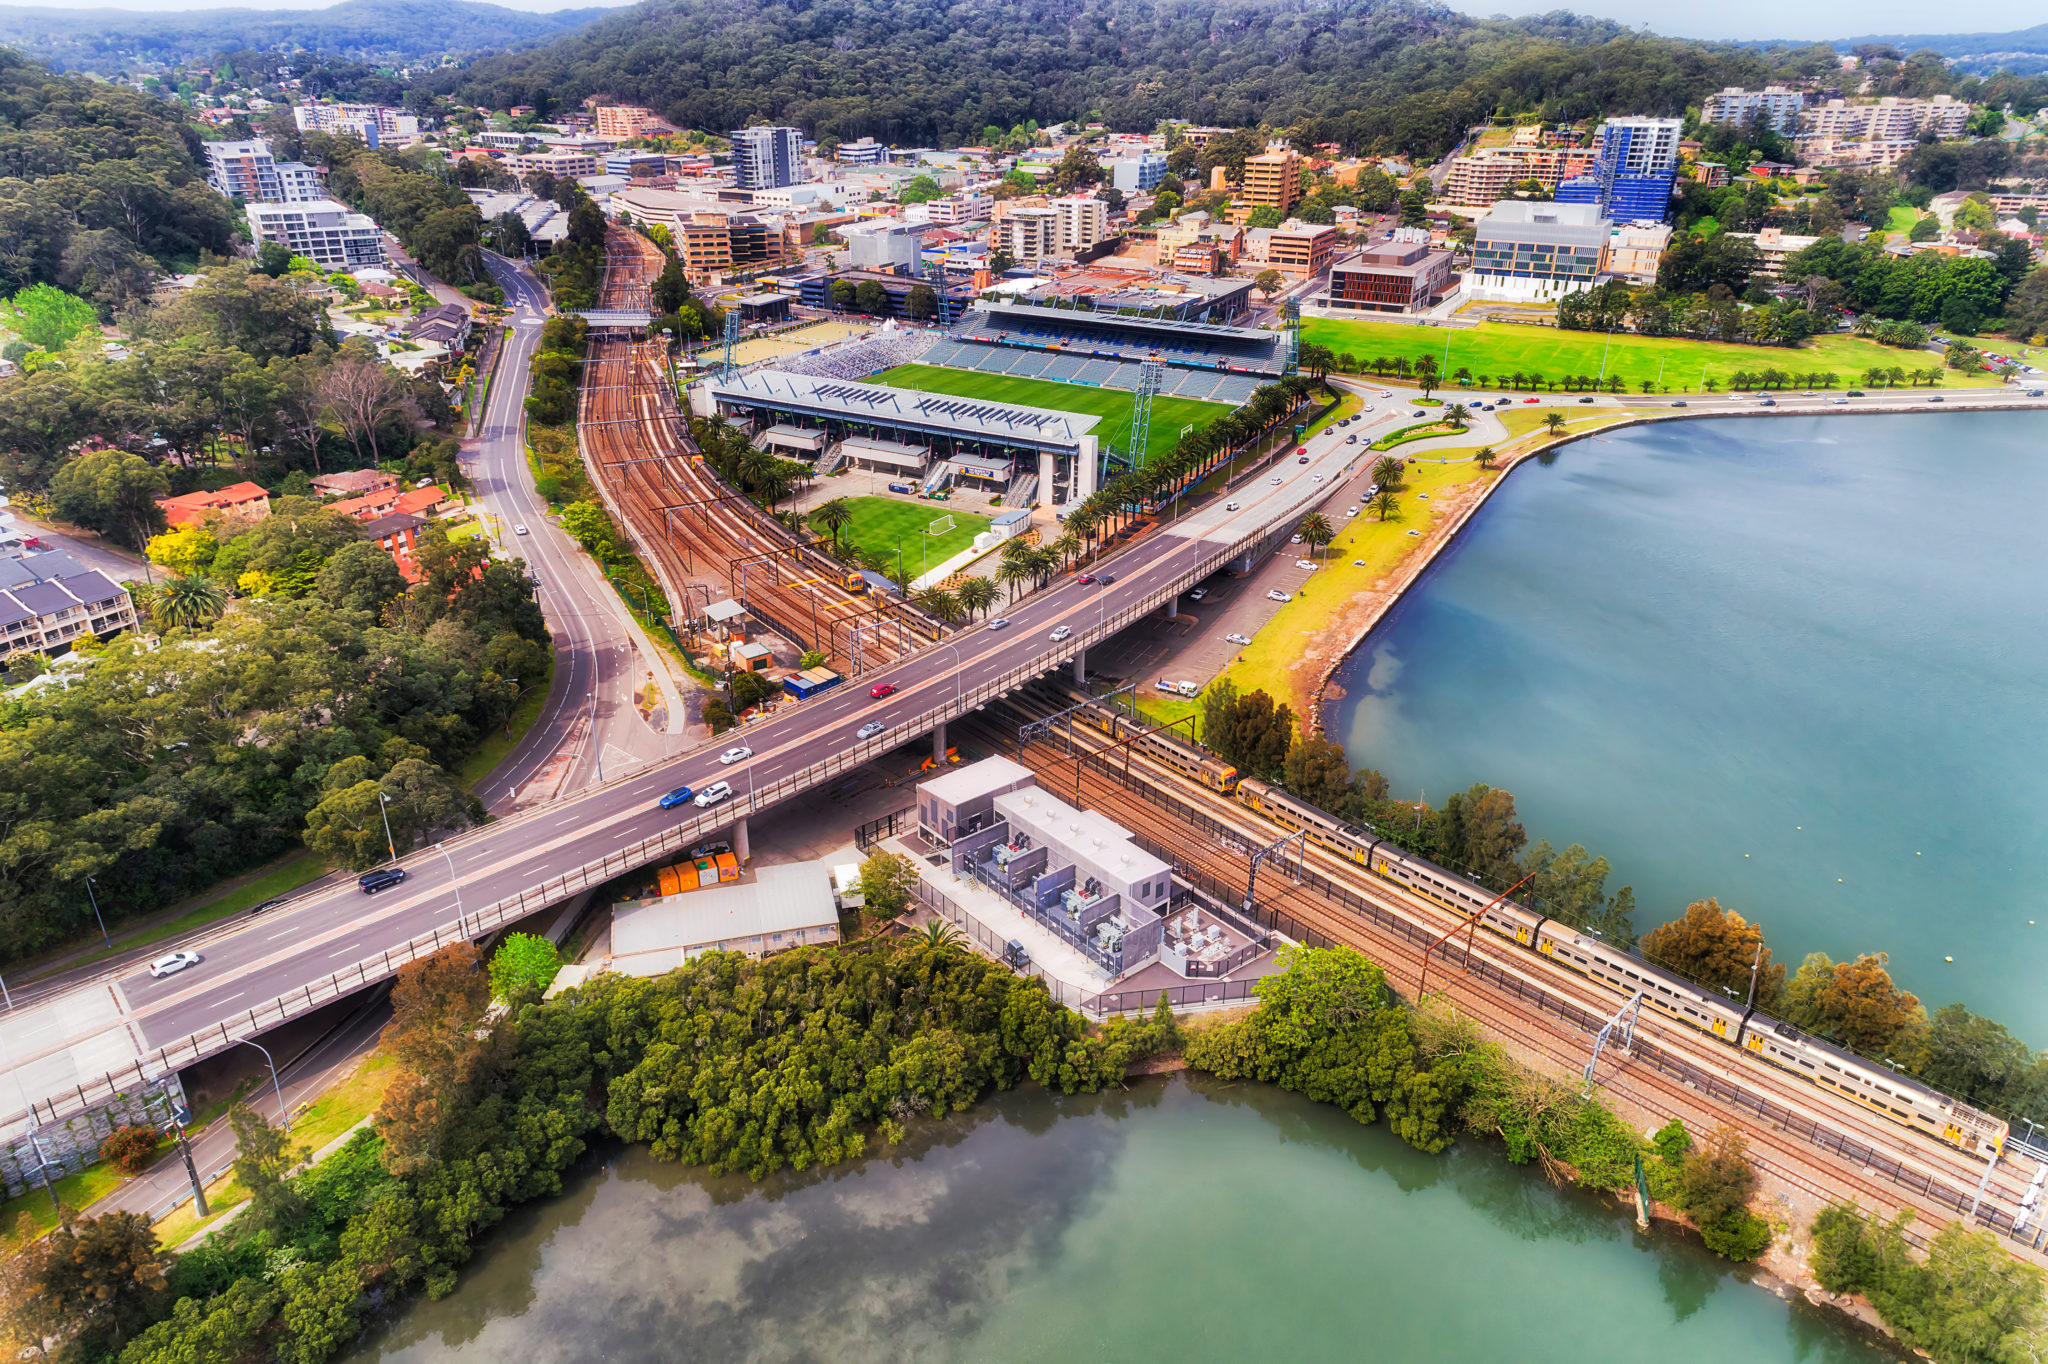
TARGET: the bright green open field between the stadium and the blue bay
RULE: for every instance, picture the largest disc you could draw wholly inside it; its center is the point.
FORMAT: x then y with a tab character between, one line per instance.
1502	349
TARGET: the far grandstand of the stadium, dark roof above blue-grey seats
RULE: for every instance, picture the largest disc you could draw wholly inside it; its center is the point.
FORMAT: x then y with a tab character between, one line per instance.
1203	359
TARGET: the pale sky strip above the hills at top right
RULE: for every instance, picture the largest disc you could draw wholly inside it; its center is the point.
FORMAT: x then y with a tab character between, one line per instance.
1775	19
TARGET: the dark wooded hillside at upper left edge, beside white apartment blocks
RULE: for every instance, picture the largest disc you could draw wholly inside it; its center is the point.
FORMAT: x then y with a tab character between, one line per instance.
97	183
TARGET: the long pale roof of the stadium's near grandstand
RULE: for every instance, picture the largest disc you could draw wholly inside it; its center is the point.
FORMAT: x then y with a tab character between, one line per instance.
906	409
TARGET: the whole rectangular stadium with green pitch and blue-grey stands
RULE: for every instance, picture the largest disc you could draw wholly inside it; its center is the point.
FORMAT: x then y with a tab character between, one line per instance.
1031	404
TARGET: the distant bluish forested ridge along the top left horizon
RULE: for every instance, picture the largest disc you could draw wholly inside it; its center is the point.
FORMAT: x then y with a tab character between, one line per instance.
101	40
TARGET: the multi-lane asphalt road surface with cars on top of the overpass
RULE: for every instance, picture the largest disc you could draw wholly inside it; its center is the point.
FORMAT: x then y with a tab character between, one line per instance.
69	1043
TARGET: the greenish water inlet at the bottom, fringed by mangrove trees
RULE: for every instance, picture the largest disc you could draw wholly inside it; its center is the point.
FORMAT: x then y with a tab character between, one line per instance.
1179	1222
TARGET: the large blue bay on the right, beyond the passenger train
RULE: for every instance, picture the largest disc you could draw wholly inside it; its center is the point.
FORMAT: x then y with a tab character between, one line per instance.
1795	665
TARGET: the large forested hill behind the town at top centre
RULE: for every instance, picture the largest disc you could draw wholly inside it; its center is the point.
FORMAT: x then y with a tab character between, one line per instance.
1400	75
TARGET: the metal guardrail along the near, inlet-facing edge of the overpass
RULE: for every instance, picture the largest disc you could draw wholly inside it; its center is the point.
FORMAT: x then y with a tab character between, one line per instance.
466	927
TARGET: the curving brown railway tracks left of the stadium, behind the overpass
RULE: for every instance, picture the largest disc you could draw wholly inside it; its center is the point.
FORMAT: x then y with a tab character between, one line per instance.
701	536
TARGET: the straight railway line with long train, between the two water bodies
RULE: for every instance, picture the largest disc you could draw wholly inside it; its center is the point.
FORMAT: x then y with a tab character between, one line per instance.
1936	1183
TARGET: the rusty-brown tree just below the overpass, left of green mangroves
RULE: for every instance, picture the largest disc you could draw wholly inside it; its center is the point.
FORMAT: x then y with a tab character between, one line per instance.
445	1058
